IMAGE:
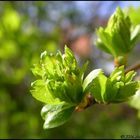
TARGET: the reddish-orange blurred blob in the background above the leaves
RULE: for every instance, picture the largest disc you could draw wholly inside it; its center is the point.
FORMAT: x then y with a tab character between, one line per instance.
78	39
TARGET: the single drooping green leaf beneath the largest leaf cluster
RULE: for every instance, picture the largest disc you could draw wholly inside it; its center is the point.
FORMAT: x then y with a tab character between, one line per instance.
56	115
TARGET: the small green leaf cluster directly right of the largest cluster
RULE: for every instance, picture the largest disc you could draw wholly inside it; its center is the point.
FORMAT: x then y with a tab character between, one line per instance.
116	88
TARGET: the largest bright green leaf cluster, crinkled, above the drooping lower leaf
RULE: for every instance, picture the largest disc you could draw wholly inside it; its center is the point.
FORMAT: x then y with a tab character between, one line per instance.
61	78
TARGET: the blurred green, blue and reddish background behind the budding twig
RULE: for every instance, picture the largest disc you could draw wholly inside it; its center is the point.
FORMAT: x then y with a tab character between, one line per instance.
29	28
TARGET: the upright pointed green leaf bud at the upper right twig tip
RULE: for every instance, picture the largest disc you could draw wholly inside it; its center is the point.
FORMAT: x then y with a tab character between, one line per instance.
119	37
